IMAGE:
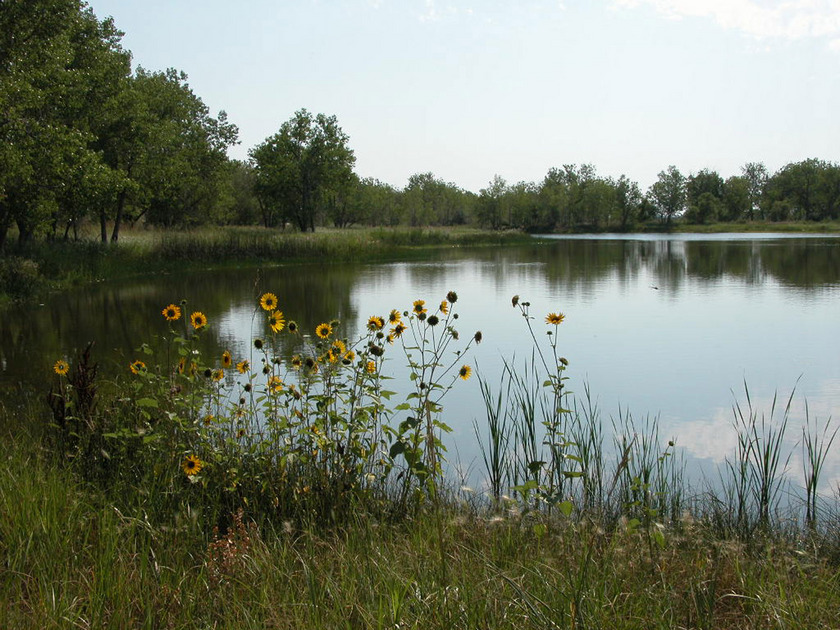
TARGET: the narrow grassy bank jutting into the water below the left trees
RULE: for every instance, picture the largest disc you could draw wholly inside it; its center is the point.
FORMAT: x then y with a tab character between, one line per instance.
35	269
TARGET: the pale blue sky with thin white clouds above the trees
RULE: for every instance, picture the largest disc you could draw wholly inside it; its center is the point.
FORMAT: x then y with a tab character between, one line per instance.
470	89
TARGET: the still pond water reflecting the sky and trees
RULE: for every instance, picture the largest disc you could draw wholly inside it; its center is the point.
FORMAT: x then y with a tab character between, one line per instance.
663	326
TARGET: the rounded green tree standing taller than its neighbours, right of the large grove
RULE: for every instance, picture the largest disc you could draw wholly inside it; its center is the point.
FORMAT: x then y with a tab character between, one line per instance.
297	166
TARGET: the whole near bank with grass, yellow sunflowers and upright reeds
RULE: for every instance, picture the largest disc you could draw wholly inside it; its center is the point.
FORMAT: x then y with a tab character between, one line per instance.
291	492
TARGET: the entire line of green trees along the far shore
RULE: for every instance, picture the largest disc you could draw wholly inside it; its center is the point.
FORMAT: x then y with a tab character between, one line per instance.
86	140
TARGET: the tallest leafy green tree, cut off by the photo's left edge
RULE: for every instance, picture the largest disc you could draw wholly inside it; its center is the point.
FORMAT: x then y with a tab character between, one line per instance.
58	65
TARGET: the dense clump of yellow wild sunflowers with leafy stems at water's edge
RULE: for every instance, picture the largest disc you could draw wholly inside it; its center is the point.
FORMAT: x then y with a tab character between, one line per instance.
305	436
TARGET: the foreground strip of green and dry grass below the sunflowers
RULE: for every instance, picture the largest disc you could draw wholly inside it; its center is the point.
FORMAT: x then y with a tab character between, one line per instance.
70	559
